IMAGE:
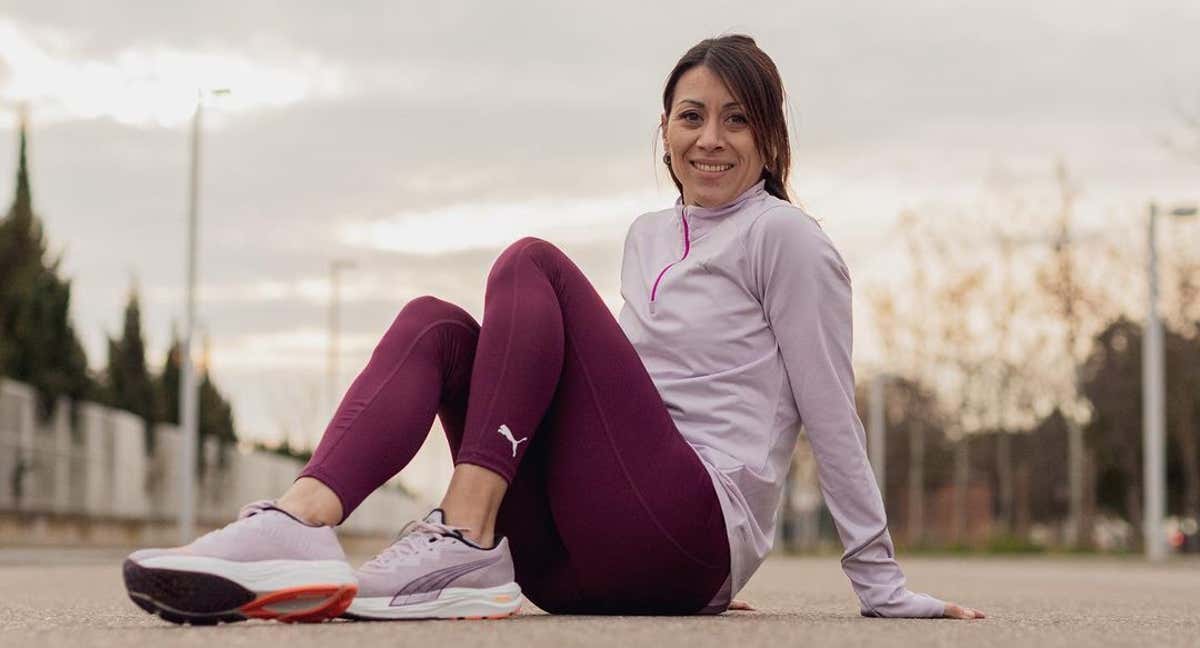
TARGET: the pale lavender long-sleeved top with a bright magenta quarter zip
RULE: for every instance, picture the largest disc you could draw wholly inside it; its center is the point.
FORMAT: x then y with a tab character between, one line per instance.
742	316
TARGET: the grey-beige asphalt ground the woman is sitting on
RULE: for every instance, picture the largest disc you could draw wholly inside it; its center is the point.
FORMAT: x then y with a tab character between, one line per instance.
51	598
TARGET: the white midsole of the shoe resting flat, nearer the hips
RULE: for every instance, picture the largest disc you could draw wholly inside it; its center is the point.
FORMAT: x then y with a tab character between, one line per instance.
454	602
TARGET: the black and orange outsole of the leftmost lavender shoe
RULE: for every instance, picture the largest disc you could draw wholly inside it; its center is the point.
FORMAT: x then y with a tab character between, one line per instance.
199	598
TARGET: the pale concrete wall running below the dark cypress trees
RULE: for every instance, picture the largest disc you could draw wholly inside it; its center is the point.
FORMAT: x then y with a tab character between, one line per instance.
101	471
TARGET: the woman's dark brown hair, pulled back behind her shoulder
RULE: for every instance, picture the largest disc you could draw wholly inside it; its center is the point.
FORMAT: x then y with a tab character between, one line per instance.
752	77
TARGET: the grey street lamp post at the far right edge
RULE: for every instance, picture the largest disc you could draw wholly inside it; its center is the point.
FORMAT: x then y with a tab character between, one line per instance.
1155	399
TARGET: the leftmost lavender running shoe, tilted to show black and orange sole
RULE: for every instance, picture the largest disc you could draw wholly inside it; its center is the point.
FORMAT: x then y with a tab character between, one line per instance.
266	566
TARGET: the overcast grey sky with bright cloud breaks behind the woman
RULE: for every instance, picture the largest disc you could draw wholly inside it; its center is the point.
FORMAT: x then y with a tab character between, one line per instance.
418	140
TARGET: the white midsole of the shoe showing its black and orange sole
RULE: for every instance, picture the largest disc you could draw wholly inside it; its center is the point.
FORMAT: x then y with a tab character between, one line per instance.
261	575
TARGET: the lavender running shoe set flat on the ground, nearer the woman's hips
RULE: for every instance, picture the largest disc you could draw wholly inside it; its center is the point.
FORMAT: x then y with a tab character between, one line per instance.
433	572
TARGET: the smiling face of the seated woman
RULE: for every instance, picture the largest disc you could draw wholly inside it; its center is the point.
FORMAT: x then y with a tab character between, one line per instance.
712	147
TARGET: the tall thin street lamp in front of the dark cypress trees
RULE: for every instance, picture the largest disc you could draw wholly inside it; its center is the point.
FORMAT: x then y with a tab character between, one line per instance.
189	398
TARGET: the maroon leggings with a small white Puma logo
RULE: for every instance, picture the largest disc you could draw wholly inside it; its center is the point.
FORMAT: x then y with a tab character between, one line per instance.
609	511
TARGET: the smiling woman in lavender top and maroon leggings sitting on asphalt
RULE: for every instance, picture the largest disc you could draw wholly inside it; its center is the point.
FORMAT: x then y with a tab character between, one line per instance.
607	467
